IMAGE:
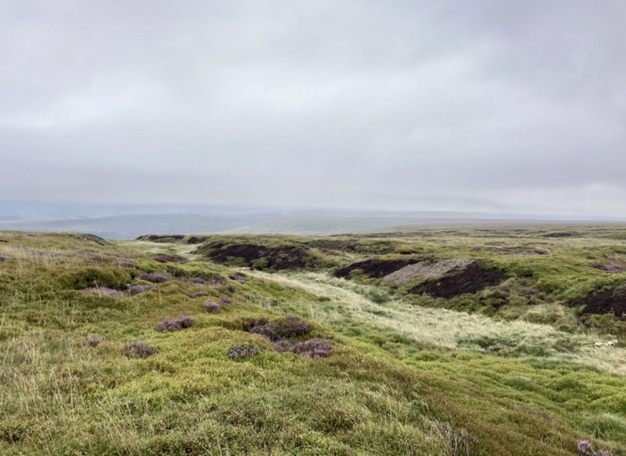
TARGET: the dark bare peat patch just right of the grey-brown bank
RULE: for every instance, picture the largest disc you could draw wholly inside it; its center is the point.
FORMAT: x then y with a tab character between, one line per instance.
472	279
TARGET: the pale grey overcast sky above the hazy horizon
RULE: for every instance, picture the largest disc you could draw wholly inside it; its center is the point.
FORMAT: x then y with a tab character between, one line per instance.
482	105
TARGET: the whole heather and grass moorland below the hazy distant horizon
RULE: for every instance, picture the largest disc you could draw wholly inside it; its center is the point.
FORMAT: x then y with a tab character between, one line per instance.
441	342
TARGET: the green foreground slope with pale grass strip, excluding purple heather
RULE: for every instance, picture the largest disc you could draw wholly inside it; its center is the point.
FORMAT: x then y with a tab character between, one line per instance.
387	388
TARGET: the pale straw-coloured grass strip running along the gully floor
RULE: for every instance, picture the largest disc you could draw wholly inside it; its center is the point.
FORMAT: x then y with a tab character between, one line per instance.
443	329
